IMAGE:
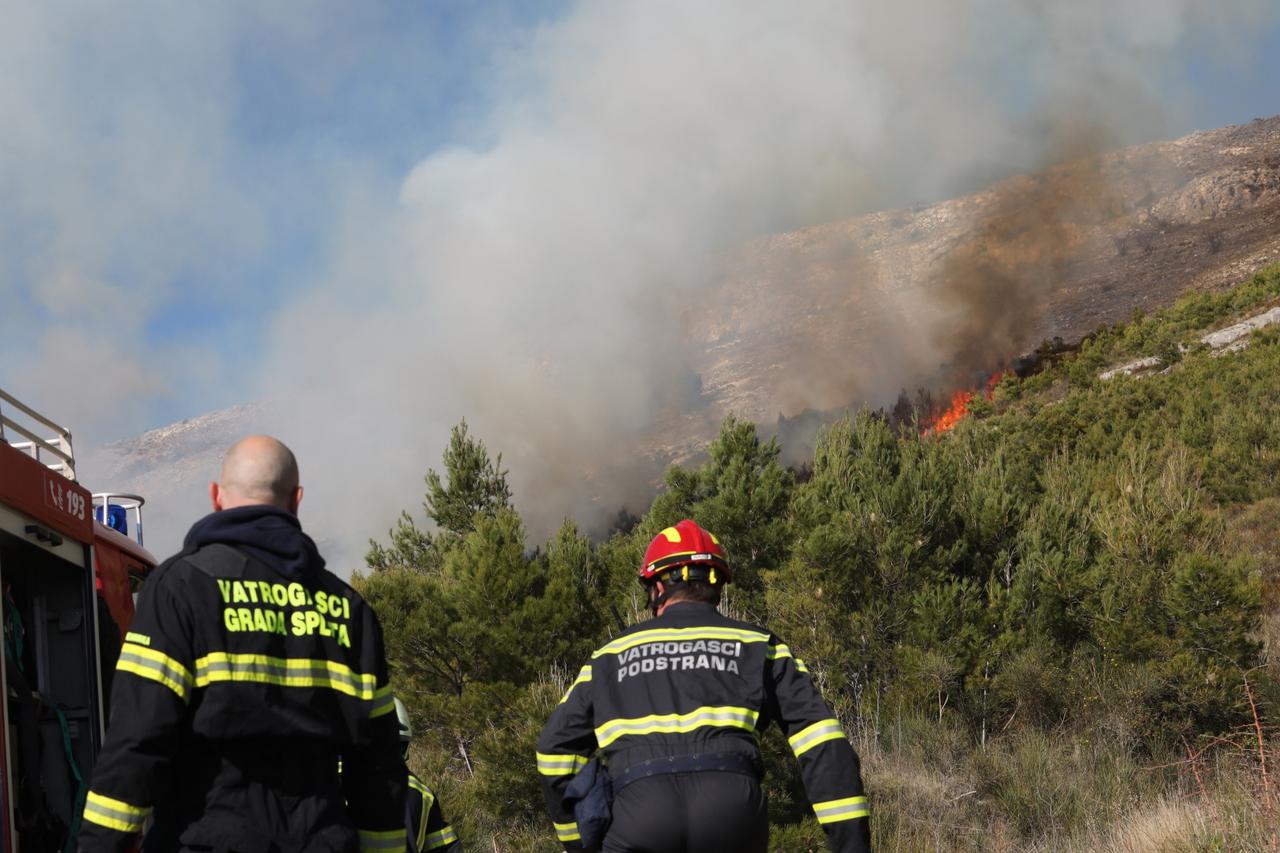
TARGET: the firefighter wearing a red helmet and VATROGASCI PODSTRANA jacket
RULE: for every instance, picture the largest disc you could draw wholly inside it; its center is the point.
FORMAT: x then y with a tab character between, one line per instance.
675	706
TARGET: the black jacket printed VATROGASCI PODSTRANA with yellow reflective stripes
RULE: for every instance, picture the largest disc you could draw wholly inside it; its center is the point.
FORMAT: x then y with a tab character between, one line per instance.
696	682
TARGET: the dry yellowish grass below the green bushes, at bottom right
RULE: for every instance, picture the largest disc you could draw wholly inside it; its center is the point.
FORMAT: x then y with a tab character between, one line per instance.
1037	793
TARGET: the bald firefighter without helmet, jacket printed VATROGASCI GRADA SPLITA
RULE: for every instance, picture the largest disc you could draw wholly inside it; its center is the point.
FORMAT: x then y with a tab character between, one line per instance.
250	673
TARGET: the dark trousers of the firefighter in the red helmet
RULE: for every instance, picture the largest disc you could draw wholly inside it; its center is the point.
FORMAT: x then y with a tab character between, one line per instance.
697	813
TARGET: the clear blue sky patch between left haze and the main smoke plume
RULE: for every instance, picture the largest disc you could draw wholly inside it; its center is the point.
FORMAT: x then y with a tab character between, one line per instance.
412	79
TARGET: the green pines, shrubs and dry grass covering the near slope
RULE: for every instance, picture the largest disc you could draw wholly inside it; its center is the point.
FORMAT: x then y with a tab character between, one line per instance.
1053	628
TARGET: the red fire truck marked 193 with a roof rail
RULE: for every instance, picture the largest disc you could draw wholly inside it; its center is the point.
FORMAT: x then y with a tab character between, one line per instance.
71	564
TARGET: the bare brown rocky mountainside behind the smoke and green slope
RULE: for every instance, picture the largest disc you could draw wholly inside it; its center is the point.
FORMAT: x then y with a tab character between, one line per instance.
940	297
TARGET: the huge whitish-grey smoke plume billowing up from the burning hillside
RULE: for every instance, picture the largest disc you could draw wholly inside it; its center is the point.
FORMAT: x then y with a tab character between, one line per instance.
543	284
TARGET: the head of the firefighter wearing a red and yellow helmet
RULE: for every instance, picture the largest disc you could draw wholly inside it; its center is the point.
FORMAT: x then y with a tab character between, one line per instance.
684	563
